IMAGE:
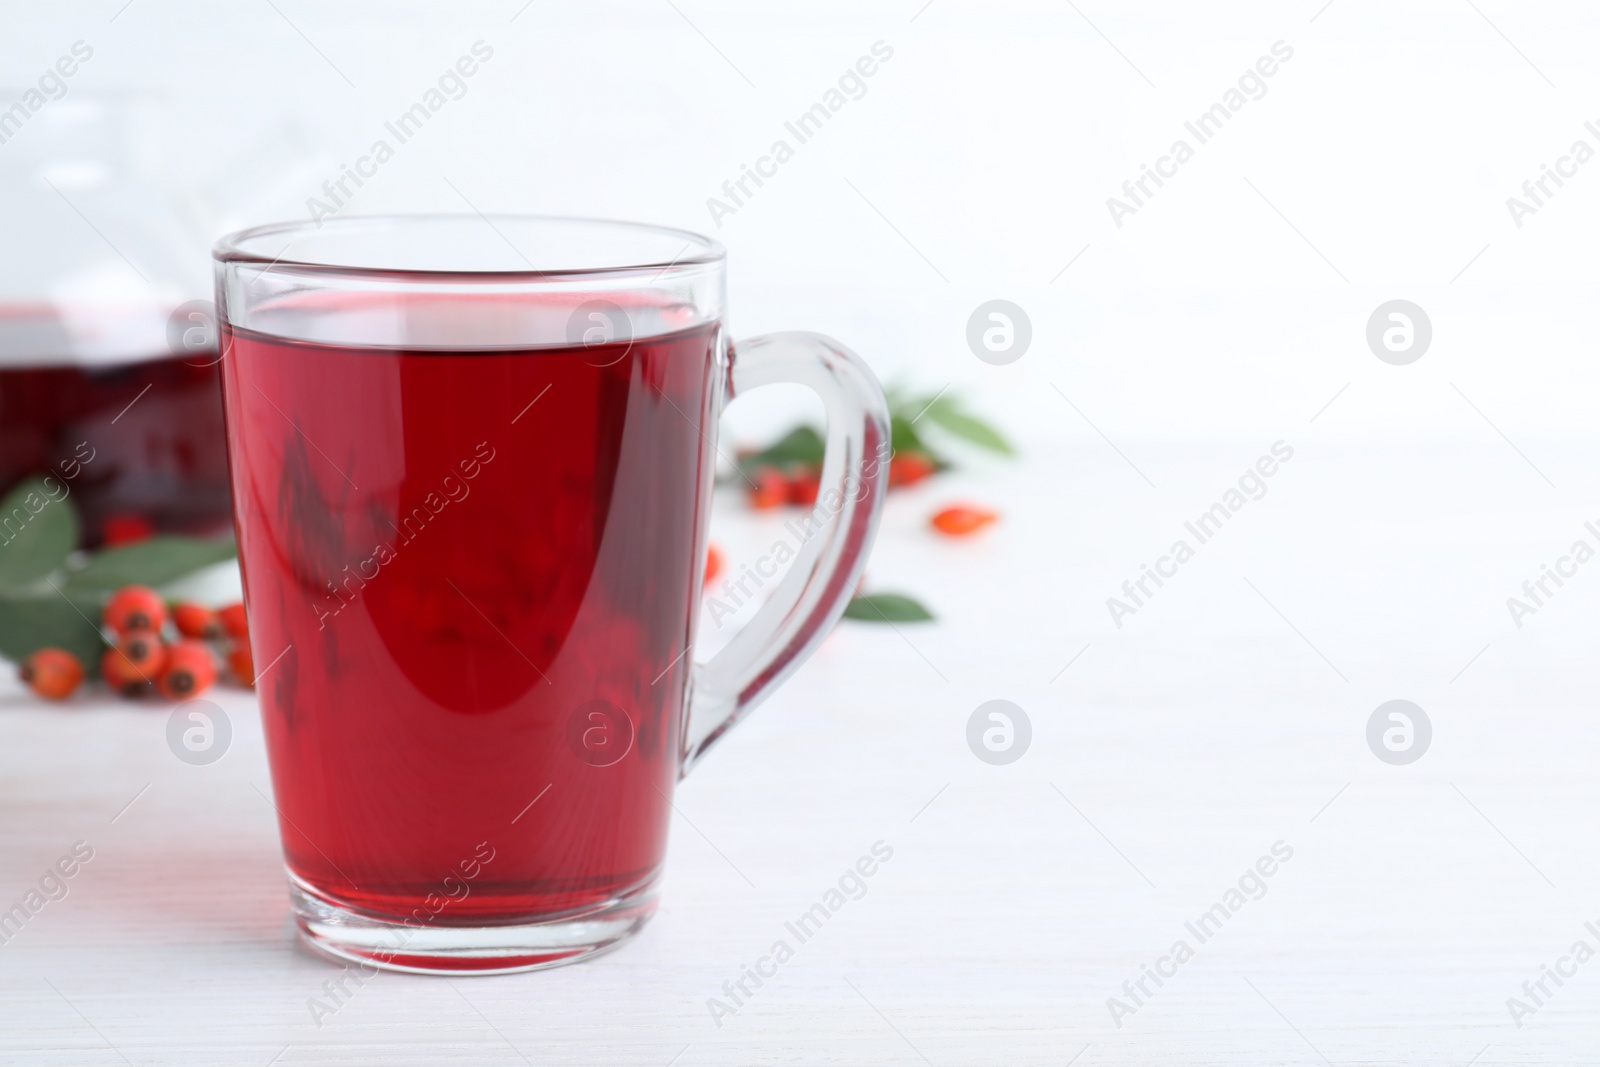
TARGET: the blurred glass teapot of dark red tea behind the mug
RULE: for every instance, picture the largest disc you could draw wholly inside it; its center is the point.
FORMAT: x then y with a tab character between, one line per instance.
108	362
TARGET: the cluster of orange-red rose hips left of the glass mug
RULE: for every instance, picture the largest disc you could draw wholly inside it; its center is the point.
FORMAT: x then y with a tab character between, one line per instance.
153	649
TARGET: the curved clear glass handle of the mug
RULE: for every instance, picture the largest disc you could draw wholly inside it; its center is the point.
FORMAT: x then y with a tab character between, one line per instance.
831	543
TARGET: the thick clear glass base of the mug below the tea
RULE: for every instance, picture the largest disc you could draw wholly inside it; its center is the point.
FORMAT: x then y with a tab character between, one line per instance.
353	937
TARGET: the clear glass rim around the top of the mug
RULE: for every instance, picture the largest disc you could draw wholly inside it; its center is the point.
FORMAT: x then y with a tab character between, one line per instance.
233	249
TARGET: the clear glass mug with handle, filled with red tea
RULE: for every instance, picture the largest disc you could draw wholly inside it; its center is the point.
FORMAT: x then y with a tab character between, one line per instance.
473	463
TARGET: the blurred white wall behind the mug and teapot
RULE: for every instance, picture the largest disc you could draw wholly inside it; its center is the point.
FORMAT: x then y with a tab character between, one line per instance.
977	166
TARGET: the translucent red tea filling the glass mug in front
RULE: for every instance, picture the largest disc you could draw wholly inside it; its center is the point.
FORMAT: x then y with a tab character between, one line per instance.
471	581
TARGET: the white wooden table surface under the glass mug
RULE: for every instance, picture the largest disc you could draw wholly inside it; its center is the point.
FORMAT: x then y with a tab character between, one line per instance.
1226	716
